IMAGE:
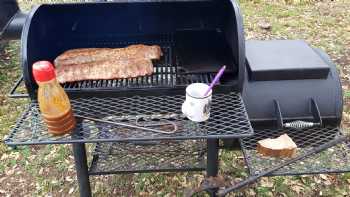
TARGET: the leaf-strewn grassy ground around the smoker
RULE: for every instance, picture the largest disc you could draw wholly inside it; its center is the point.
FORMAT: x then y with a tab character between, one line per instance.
49	170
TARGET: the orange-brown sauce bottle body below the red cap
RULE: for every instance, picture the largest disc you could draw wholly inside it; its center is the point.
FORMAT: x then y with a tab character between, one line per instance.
55	108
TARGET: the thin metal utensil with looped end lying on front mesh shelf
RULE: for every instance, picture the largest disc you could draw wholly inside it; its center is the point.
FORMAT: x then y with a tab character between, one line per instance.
137	124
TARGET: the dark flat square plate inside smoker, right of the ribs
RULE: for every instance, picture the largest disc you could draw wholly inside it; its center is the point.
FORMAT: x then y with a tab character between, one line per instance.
204	52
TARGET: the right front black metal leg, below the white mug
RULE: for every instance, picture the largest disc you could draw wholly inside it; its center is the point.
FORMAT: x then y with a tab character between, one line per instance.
212	161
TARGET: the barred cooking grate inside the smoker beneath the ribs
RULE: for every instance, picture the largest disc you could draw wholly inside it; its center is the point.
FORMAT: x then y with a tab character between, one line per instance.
165	73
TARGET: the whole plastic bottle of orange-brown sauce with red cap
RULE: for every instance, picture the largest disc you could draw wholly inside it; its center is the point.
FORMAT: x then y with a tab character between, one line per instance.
54	103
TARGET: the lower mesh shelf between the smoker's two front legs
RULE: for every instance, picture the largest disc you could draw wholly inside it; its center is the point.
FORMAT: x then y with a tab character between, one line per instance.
121	157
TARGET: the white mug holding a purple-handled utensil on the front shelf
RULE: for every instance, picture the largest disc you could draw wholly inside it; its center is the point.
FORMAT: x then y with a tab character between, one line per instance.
197	106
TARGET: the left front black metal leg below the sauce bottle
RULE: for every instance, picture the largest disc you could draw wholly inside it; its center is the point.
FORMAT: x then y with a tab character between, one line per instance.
82	169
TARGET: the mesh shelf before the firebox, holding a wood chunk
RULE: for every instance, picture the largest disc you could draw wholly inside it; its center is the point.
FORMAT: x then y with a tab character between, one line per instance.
335	159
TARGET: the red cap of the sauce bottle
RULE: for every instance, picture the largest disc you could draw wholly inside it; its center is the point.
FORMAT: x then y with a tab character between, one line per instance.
43	71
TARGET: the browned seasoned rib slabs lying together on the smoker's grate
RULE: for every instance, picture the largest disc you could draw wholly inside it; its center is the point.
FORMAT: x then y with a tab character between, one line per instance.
106	63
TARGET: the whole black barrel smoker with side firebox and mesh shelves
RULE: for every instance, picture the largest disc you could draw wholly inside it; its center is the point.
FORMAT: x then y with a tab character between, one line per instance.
269	88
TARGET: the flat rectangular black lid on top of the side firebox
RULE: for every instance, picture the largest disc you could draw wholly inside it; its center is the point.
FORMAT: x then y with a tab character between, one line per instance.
284	60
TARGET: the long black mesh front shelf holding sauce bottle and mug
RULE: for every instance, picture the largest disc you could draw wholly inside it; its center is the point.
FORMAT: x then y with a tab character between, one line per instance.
228	119
